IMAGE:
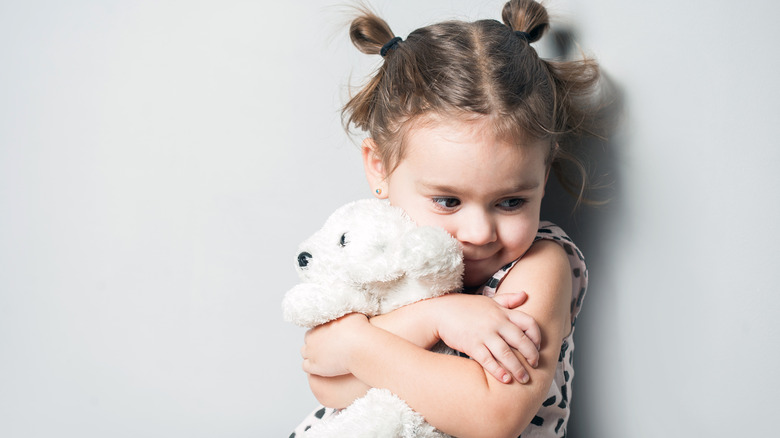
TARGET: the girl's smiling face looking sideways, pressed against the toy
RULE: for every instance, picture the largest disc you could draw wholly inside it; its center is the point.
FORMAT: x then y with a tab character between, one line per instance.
484	191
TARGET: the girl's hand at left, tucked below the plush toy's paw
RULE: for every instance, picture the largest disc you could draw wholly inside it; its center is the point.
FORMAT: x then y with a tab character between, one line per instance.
326	347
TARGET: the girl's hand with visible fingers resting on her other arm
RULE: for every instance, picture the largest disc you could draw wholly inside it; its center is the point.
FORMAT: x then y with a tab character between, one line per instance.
492	332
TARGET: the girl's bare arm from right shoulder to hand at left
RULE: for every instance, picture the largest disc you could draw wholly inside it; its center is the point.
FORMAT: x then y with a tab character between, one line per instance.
456	394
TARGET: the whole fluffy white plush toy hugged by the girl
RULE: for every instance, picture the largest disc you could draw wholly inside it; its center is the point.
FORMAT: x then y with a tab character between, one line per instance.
369	257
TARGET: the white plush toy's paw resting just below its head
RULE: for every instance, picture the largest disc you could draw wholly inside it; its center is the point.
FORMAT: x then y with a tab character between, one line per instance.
309	305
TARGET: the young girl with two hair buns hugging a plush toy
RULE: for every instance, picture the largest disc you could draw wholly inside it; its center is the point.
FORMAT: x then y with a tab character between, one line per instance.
465	124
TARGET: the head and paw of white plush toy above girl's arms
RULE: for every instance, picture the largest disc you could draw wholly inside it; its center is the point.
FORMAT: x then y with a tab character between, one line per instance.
369	257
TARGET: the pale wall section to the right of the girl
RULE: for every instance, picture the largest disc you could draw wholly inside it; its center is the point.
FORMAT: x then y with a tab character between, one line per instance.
681	332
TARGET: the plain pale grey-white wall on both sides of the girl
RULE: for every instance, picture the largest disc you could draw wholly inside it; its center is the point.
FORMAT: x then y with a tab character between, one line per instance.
160	161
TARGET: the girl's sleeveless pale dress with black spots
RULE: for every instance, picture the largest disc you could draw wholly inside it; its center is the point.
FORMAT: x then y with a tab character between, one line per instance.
553	415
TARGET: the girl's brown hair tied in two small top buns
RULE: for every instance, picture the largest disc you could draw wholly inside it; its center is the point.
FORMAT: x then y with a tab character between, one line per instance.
476	69
